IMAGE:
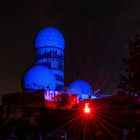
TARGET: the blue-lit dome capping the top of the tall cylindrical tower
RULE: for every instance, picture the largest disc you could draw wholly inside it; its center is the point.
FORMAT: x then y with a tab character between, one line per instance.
50	37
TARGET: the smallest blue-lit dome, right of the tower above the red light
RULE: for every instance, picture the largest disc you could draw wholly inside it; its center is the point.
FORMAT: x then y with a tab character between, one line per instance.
81	88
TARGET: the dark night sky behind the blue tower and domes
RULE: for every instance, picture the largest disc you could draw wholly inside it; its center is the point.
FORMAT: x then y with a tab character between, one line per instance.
96	32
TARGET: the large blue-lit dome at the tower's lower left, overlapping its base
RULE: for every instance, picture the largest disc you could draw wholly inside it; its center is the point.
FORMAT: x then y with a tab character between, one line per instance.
38	77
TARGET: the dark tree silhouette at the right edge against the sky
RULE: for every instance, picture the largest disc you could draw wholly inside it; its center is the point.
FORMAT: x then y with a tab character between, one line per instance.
129	82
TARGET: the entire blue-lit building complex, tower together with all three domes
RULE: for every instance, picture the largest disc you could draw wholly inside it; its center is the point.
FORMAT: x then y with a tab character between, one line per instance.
48	72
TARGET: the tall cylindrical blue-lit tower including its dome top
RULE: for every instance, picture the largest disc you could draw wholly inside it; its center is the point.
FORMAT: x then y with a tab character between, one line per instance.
49	52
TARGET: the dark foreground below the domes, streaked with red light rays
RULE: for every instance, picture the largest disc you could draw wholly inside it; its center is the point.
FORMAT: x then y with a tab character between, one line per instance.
112	118
